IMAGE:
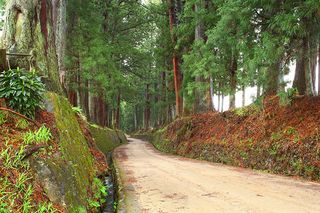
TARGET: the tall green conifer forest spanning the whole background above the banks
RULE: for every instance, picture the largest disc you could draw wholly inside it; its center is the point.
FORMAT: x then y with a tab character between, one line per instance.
138	65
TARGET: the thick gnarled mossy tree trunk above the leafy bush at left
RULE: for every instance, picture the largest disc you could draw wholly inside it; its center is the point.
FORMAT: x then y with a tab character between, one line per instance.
29	28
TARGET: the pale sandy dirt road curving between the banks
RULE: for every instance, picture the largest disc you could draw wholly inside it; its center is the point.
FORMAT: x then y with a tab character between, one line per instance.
155	182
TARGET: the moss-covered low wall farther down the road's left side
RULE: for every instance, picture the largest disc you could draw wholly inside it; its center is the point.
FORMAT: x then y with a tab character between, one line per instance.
107	139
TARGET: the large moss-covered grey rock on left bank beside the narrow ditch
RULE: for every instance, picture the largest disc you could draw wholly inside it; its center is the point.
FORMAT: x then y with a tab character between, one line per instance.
71	173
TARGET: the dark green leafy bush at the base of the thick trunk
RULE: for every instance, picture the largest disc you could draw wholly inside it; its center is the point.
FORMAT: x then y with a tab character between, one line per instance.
23	90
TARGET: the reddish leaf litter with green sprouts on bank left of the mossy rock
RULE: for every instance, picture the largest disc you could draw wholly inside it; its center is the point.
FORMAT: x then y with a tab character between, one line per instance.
19	189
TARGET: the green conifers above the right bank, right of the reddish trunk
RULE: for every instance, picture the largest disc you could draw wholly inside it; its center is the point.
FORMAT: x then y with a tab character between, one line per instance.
247	43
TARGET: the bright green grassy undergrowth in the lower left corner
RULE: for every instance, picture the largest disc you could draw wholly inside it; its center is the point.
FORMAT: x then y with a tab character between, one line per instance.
18	191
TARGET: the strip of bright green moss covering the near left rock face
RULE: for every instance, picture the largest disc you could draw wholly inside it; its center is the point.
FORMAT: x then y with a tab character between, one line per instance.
75	152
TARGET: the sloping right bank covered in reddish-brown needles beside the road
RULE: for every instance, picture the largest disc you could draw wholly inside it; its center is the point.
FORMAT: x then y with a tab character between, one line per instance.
275	135
